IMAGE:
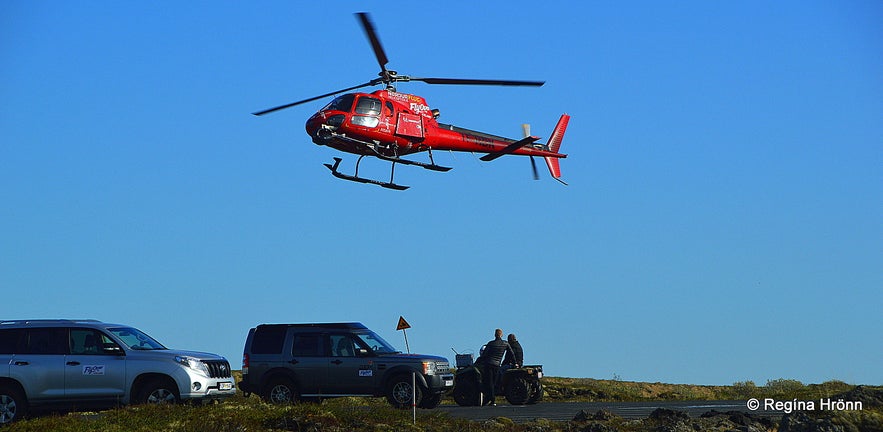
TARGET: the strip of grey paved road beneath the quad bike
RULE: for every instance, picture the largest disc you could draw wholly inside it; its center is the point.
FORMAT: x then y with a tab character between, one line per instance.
563	411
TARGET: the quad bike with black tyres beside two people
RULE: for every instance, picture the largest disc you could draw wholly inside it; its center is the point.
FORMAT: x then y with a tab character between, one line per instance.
520	386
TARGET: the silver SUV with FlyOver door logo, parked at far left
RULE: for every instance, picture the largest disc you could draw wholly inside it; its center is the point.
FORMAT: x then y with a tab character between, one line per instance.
87	362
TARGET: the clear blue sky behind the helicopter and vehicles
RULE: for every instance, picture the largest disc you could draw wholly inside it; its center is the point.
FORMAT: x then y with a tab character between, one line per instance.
723	222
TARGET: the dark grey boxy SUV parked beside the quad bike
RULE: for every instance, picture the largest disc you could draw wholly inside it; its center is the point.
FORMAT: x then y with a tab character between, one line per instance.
285	362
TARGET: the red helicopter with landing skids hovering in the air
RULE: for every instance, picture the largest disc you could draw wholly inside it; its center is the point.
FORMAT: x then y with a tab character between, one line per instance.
388	125
